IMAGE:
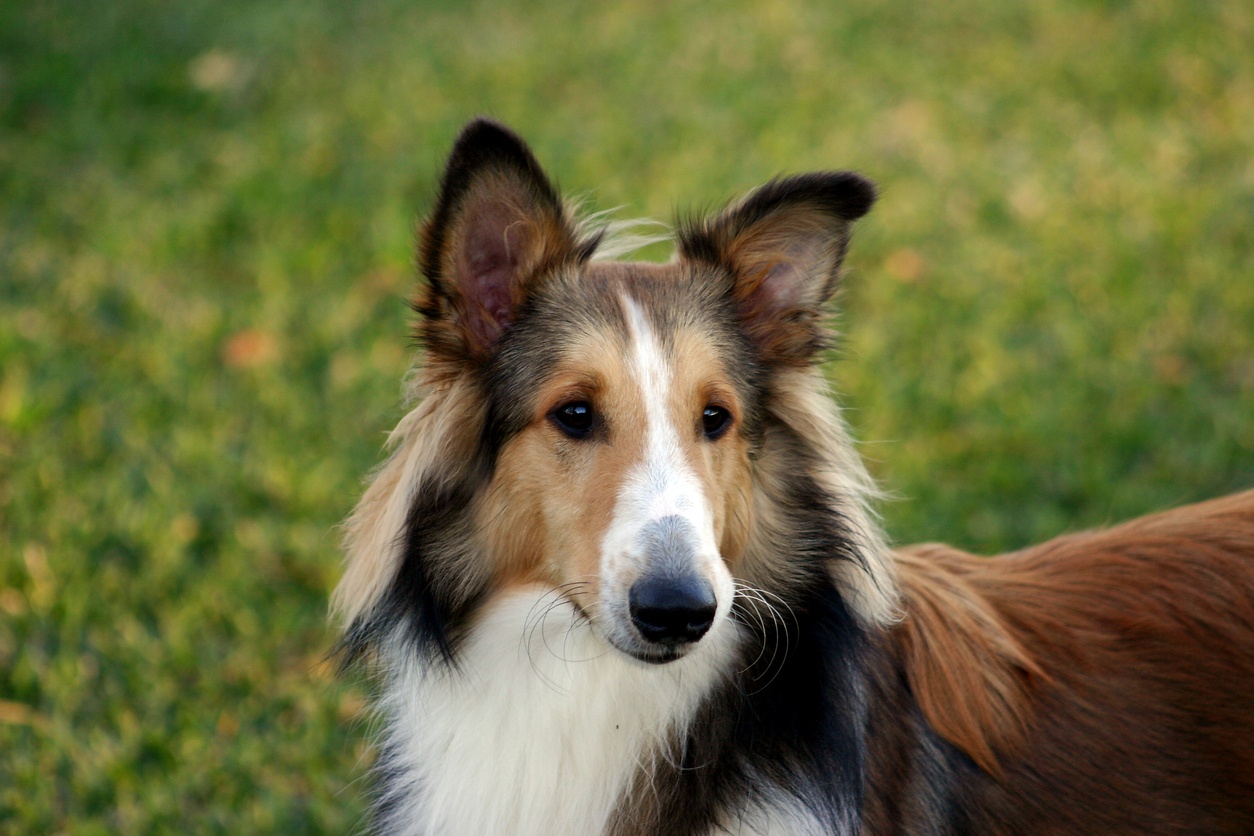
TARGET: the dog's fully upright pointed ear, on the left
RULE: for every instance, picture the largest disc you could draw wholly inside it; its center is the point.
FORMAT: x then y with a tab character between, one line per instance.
498	225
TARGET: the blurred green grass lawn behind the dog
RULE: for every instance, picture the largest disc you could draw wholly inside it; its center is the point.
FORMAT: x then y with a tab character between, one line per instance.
206	215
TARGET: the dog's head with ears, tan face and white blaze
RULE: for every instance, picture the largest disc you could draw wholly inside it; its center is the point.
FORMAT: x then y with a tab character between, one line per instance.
598	427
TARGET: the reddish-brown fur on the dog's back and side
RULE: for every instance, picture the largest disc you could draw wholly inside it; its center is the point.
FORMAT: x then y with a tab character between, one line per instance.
1103	681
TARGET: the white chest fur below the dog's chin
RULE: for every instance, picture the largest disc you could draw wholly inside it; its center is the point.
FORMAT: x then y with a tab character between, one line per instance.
542	729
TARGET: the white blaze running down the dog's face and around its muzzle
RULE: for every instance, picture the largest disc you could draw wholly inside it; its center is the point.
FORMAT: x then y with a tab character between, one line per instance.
661	484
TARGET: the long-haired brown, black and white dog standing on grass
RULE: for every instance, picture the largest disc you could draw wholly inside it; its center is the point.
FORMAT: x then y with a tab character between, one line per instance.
621	576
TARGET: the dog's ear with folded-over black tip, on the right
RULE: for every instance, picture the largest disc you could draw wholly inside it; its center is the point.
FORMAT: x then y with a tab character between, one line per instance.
783	246
